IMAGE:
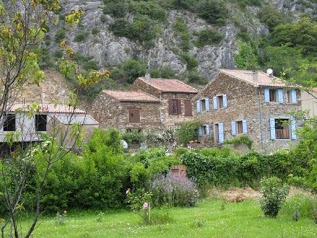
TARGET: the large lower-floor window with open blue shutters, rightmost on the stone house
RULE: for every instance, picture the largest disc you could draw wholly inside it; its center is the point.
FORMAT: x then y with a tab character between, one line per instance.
282	128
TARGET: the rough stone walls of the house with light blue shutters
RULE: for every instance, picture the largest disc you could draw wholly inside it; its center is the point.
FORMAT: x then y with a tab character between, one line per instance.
245	102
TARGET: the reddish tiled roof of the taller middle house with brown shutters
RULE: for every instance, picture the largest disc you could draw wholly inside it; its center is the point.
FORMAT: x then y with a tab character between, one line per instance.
169	85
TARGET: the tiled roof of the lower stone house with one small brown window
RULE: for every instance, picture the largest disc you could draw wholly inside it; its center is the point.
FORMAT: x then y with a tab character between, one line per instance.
131	96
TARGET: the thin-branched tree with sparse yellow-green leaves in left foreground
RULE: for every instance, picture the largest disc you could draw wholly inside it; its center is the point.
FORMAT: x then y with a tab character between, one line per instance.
21	34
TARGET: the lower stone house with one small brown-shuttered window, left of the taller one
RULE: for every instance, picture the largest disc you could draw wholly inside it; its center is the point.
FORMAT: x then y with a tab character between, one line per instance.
127	110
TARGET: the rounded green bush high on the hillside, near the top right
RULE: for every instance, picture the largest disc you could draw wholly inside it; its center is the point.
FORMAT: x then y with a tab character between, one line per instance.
271	17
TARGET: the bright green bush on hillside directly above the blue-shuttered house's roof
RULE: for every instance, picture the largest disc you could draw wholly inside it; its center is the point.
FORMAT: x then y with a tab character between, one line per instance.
246	59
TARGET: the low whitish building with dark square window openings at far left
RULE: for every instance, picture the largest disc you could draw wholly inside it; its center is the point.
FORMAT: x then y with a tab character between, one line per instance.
45	118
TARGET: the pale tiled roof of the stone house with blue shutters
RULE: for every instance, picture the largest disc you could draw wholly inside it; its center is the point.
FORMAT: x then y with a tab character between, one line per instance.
256	78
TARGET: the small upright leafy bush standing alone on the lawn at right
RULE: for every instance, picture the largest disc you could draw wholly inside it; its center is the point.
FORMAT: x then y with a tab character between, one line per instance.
273	196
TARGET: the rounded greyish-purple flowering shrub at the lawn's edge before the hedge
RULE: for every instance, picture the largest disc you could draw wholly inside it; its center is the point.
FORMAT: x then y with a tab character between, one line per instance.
174	190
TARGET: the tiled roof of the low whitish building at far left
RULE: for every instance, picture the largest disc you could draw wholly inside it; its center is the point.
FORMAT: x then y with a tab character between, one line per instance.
49	108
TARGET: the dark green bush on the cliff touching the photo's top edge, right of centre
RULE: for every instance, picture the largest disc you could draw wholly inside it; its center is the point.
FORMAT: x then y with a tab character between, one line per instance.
213	11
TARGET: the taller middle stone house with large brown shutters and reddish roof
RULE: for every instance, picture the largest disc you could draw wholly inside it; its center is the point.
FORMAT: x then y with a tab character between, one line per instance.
175	96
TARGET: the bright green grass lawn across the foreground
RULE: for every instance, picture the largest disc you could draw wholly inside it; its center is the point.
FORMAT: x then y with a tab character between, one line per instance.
211	218
